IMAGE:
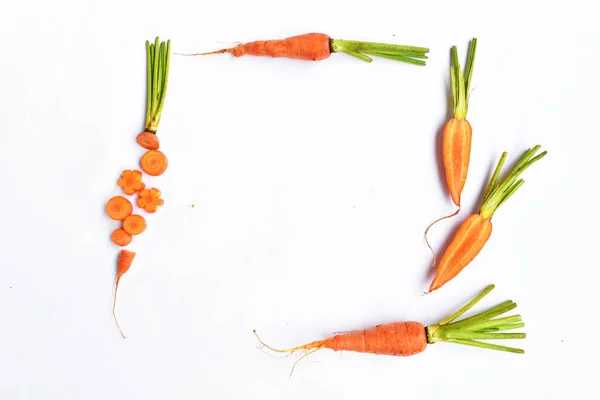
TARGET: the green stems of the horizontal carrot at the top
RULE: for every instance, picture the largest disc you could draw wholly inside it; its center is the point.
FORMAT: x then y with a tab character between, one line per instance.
408	54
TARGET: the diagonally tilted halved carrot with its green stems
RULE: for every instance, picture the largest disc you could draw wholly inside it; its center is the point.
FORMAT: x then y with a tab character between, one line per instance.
475	231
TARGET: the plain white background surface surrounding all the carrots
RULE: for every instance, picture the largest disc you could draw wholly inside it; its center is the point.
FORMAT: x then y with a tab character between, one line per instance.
312	183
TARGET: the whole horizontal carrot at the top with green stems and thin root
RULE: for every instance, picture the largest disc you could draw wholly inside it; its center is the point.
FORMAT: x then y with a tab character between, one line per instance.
318	46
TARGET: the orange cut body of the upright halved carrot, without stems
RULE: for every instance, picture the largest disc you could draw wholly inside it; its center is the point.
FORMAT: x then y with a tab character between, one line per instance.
456	154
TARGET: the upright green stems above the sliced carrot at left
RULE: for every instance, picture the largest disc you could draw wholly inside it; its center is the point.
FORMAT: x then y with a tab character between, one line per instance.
158	57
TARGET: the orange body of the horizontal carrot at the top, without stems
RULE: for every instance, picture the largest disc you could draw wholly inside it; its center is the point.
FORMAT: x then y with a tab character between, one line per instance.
310	46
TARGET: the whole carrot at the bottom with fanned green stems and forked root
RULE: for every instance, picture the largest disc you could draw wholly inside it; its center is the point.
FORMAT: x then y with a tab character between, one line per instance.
411	337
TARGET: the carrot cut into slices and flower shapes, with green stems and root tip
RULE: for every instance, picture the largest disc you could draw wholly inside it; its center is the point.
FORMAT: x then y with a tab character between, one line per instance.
153	163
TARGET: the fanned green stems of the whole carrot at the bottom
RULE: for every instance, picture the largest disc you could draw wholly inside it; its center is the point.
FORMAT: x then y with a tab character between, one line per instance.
481	326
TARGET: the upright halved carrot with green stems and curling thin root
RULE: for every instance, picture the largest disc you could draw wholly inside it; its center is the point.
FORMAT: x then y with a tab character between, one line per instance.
456	142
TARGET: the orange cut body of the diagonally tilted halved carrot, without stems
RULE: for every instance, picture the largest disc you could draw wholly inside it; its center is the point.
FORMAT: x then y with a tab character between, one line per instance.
466	244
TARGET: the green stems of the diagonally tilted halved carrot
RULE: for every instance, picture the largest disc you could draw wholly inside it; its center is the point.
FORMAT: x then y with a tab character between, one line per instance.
497	193
